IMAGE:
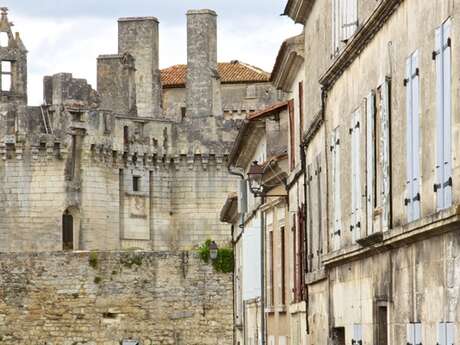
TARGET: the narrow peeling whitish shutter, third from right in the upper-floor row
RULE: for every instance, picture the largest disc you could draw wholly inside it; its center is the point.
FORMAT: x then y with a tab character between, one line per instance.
385	156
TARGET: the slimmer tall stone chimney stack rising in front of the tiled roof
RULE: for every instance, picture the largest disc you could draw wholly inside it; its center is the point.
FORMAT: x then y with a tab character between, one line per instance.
203	81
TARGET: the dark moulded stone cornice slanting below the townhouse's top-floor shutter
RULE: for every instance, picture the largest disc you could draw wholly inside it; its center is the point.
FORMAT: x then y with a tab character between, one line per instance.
359	41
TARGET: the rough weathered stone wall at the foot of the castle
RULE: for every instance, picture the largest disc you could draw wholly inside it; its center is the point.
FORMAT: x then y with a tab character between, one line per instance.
105	297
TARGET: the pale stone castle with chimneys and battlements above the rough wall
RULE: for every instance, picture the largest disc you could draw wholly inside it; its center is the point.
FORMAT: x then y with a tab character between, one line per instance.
139	163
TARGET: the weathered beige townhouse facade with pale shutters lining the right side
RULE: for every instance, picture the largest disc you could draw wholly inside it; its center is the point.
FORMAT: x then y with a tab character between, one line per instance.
370	190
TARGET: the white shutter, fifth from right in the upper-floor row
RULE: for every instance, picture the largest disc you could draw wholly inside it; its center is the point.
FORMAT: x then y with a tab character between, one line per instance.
355	133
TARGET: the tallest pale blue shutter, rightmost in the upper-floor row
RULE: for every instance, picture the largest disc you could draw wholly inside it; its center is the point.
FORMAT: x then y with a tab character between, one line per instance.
442	56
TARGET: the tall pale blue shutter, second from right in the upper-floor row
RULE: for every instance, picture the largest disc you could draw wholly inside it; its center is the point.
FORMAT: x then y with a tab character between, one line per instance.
412	82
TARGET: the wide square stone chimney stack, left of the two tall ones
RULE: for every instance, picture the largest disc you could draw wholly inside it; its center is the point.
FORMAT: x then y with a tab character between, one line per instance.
139	36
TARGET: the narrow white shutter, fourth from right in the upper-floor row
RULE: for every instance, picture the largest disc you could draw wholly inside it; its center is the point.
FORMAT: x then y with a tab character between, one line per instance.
370	161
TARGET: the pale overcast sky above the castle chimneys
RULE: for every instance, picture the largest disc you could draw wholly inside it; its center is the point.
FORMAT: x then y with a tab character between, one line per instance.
68	35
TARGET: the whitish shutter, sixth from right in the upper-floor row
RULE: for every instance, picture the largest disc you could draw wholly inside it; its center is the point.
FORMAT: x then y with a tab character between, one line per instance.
335	156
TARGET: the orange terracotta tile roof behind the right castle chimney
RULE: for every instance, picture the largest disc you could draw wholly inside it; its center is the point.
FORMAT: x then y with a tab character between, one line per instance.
230	73
